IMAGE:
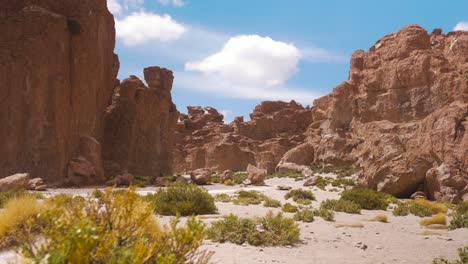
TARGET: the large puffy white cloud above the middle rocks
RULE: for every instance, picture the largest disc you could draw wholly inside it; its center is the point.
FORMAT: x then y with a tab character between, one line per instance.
251	60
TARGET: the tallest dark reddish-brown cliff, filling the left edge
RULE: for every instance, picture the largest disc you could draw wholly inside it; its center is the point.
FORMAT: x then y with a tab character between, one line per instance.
58	70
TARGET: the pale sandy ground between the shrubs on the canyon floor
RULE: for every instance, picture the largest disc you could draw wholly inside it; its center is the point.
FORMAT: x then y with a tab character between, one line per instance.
398	241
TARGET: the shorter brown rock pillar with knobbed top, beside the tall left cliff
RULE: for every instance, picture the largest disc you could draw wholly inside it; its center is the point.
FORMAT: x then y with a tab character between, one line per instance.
139	127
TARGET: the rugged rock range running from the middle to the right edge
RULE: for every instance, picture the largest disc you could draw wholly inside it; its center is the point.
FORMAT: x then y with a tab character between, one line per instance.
401	117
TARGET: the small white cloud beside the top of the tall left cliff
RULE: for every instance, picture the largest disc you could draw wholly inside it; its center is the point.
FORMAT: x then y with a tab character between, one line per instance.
141	27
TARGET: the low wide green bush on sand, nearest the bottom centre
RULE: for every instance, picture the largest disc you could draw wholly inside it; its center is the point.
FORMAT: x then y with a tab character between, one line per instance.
271	230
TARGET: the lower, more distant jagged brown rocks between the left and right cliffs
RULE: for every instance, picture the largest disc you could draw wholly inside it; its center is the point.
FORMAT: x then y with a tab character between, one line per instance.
204	141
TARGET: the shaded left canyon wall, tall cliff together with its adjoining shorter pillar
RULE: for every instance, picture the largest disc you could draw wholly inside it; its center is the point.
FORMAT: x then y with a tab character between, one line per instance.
58	76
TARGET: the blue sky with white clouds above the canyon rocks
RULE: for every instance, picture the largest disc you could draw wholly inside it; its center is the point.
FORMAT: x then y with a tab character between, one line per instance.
232	55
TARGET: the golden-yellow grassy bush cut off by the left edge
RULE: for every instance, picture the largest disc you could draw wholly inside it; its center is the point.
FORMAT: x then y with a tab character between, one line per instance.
17	219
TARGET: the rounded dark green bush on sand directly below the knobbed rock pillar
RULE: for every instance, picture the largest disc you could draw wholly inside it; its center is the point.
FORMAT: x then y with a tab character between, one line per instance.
182	199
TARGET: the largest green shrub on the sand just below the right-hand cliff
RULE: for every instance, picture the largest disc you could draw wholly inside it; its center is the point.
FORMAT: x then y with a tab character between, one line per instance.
366	198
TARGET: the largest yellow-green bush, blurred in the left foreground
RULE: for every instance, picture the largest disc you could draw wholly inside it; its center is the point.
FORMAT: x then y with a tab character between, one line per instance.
115	228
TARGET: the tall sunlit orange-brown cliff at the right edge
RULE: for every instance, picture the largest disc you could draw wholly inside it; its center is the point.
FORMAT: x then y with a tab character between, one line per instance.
402	112
